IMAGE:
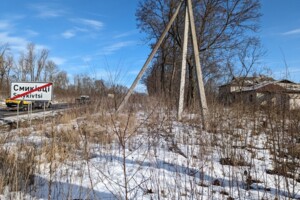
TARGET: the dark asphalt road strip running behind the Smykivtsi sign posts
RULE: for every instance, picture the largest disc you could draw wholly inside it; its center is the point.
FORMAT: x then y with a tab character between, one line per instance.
7	113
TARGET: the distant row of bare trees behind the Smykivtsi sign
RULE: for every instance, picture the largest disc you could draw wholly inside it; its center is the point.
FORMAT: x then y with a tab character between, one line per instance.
34	65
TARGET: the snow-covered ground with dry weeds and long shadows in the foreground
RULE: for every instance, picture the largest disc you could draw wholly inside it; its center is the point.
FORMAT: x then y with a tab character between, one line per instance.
145	156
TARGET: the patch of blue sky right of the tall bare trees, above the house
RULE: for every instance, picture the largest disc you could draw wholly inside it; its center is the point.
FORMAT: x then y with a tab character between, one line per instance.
280	36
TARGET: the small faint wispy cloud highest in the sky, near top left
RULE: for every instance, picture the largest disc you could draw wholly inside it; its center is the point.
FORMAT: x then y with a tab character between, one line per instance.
48	10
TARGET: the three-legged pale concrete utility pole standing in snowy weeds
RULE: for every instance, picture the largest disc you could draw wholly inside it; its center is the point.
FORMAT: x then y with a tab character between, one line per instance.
189	21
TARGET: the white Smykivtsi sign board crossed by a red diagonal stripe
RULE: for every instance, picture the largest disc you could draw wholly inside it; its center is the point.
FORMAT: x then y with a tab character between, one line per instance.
31	91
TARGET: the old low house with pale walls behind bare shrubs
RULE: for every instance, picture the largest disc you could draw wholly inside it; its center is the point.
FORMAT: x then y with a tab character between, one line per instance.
261	90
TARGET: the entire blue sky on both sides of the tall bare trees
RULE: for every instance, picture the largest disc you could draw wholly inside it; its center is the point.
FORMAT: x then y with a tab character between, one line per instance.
100	38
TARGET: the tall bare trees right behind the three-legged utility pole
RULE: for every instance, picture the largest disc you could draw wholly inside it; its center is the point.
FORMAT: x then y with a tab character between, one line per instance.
222	25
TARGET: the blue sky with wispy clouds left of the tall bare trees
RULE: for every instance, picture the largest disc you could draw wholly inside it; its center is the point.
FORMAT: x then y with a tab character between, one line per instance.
98	38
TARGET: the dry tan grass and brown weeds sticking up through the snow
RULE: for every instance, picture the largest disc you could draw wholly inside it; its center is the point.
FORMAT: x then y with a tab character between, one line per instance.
69	135
